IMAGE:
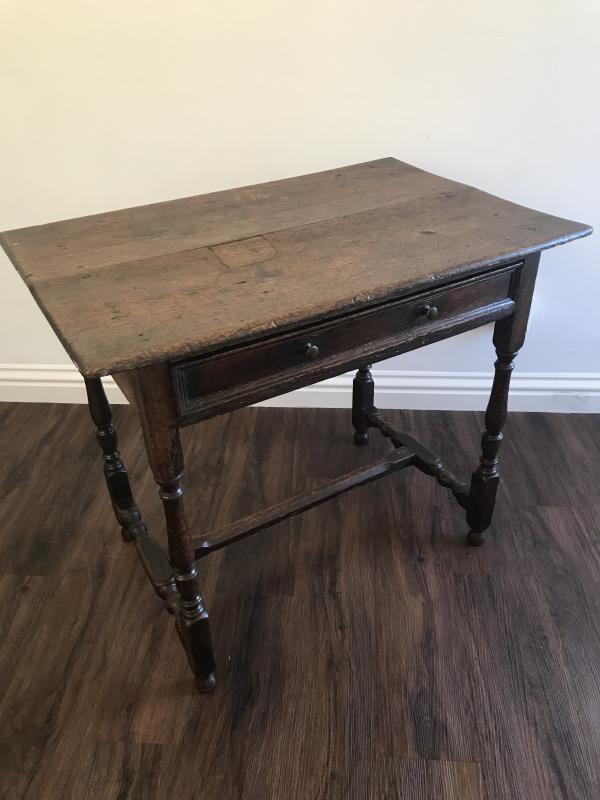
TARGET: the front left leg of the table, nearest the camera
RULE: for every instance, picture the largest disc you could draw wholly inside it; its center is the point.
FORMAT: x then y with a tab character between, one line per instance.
158	419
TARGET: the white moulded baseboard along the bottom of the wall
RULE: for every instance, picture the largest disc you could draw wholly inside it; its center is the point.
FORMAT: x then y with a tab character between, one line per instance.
459	391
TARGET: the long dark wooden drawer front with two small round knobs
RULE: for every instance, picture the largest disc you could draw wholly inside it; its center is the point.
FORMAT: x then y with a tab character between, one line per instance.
266	368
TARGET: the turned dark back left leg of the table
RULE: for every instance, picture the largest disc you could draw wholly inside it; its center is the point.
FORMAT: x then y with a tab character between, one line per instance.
125	509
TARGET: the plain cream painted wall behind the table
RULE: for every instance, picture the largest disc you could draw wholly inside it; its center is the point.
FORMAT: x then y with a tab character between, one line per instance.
112	104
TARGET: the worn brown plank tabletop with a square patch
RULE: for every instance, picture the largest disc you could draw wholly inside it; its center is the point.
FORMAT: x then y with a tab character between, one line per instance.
145	284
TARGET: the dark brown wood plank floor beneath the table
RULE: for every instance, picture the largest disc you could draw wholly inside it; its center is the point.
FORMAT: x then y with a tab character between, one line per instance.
364	651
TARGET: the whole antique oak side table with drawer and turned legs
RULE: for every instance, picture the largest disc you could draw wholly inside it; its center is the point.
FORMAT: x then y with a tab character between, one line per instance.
202	305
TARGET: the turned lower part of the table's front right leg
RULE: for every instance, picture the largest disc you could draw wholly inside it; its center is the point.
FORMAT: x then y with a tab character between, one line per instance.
484	482
